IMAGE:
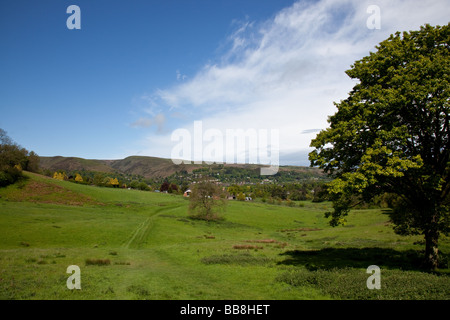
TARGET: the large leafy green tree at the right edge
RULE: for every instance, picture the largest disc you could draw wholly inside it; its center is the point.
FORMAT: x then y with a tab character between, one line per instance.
391	135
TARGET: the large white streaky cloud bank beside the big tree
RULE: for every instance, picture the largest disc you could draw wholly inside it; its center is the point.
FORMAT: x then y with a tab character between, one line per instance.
285	73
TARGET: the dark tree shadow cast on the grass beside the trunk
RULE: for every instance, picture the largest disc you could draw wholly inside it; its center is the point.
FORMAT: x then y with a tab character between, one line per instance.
331	258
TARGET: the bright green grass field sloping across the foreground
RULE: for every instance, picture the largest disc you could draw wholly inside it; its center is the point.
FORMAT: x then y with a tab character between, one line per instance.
142	245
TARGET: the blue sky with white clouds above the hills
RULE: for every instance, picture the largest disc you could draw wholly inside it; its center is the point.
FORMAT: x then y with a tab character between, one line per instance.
138	71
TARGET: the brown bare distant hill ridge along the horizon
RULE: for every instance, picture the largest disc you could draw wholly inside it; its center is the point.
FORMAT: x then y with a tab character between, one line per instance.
147	167
